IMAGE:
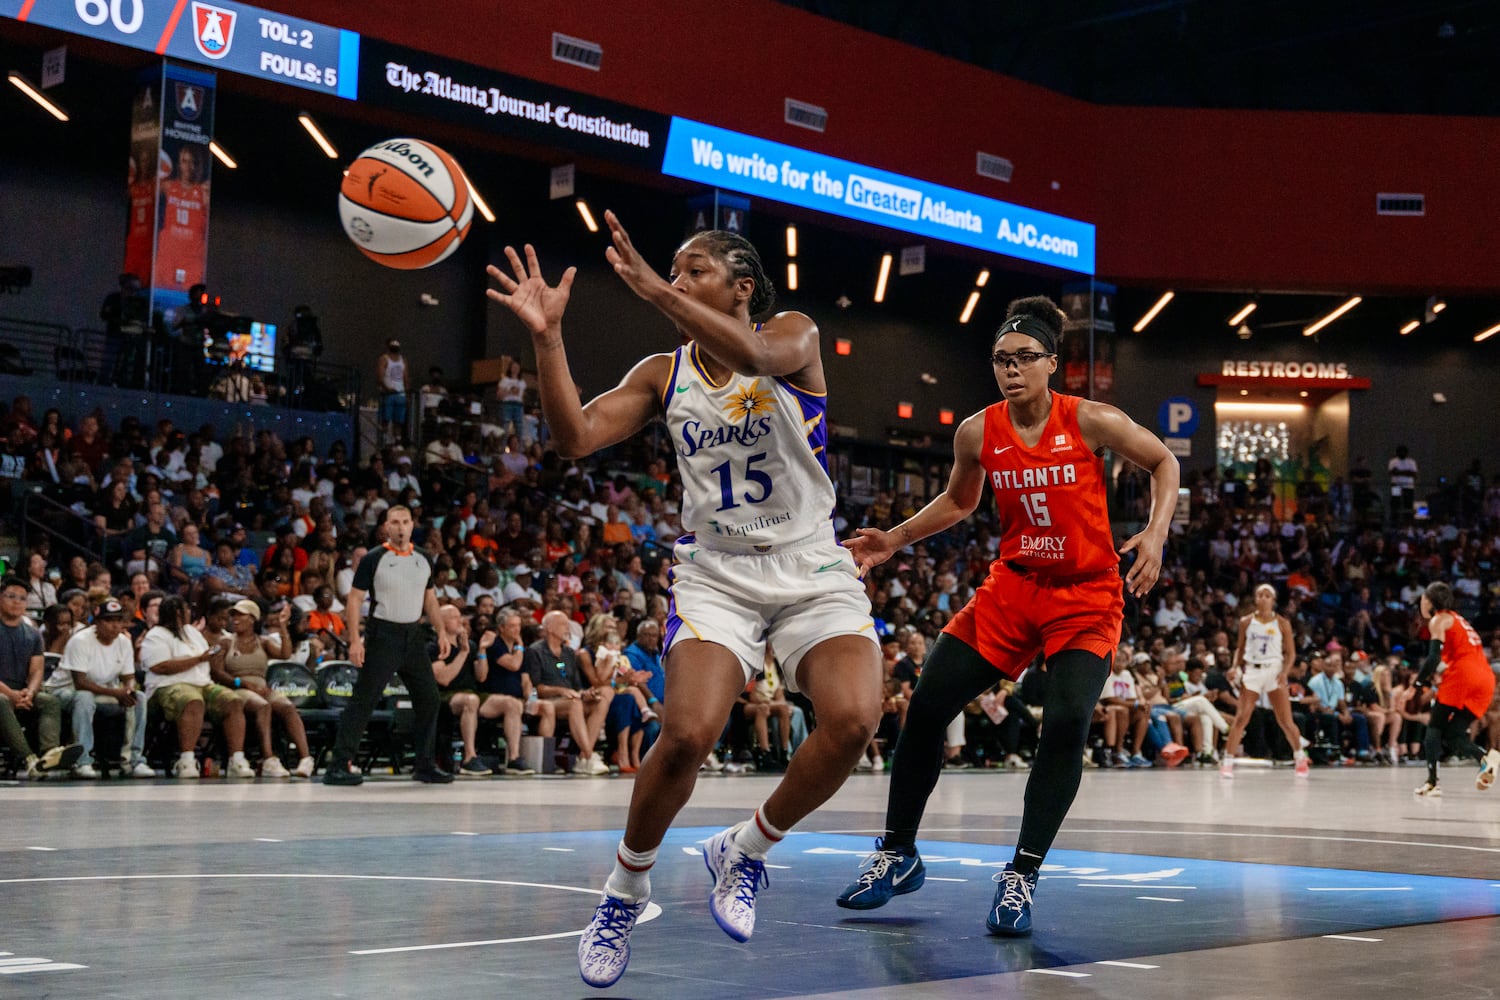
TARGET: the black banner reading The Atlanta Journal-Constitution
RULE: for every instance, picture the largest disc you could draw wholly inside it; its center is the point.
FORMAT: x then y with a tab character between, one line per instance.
431	86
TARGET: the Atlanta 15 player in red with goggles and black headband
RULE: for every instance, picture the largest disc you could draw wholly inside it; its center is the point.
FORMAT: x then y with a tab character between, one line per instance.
1055	588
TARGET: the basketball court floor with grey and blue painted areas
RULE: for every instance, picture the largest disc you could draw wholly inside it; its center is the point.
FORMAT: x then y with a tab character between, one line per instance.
1162	885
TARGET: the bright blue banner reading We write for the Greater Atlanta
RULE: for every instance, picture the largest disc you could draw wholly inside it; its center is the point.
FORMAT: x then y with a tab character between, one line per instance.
800	178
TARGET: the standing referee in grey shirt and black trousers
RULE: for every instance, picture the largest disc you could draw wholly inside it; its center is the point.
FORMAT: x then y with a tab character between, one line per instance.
400	584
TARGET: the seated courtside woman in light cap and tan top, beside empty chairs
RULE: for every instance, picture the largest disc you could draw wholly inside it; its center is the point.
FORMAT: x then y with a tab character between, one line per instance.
247	660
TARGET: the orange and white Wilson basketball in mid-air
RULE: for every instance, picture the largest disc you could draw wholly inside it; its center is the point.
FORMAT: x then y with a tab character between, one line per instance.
406	205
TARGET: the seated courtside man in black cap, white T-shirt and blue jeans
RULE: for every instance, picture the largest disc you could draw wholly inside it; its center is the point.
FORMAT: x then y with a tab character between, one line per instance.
98	668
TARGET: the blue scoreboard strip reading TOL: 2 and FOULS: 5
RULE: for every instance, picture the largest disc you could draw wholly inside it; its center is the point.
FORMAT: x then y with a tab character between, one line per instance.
230	37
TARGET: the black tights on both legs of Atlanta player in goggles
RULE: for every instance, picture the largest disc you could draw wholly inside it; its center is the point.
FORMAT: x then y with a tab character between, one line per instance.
953	677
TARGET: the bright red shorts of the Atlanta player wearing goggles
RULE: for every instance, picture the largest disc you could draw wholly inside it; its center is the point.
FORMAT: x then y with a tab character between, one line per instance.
1015	617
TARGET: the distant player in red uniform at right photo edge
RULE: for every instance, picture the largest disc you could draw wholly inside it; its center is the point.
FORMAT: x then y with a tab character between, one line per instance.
1463	693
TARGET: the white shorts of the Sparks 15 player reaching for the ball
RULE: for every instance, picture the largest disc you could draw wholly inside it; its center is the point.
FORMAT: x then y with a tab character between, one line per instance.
791	599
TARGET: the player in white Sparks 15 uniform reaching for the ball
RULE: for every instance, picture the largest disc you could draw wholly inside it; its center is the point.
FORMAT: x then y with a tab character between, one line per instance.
745	406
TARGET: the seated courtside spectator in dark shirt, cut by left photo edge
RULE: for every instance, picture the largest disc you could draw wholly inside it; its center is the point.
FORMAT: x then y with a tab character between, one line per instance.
22	695
